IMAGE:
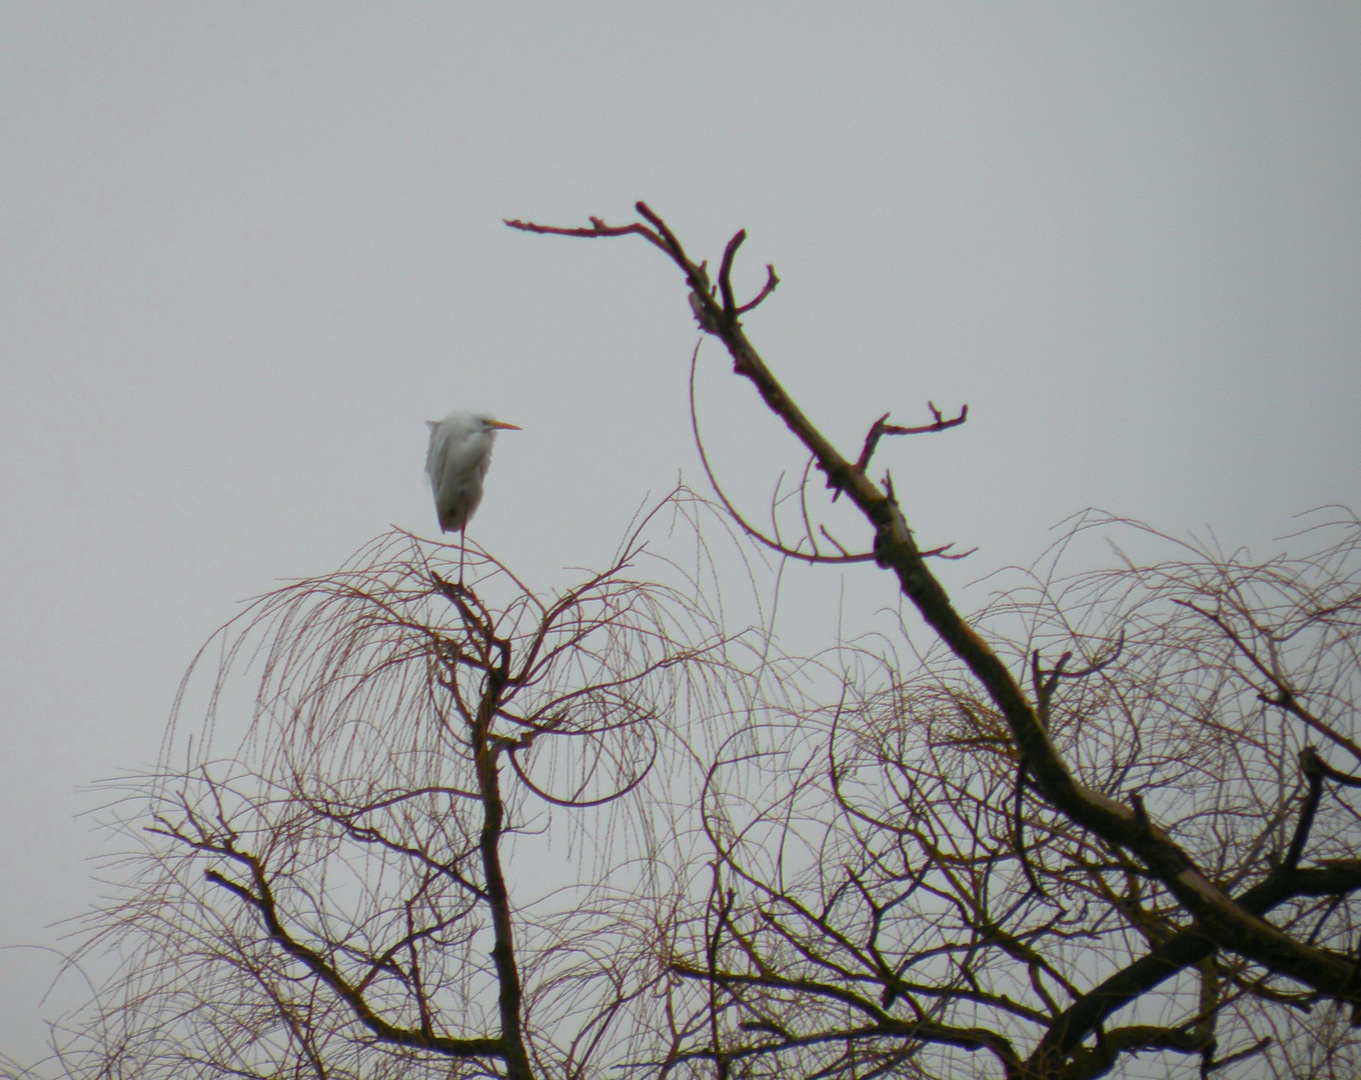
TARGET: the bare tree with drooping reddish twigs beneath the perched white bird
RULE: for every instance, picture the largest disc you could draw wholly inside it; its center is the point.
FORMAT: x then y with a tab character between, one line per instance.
334	898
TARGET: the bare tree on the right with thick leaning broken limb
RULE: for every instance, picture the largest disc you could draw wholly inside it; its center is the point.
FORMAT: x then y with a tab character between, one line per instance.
994	867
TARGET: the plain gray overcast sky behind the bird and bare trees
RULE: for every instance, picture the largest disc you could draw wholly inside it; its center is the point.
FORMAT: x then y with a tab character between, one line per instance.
250	248
